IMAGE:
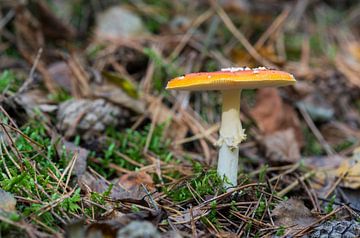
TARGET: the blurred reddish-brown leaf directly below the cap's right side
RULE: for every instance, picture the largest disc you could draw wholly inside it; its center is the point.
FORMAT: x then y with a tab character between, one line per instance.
272	114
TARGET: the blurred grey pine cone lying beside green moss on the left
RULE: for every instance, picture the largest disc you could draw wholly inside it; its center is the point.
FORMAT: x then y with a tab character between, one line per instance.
89	117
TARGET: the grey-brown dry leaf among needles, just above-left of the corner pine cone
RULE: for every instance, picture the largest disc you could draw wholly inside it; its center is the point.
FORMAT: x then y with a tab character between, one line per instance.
293	214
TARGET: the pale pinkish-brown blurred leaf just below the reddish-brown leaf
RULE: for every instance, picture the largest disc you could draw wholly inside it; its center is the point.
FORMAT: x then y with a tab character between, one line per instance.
282	146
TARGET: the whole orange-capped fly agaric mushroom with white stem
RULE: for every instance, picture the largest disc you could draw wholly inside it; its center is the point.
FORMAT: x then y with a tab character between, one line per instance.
230	81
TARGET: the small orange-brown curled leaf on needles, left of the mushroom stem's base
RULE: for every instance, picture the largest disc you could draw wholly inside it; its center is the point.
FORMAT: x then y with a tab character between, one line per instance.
134	180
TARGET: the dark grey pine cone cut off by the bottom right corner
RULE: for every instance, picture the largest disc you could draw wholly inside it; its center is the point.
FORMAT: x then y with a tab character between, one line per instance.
337	229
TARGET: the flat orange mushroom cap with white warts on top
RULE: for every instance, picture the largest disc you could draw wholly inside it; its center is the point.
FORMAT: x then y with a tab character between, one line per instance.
232	78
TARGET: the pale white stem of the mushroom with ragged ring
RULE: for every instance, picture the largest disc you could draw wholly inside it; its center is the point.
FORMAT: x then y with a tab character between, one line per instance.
231	135
